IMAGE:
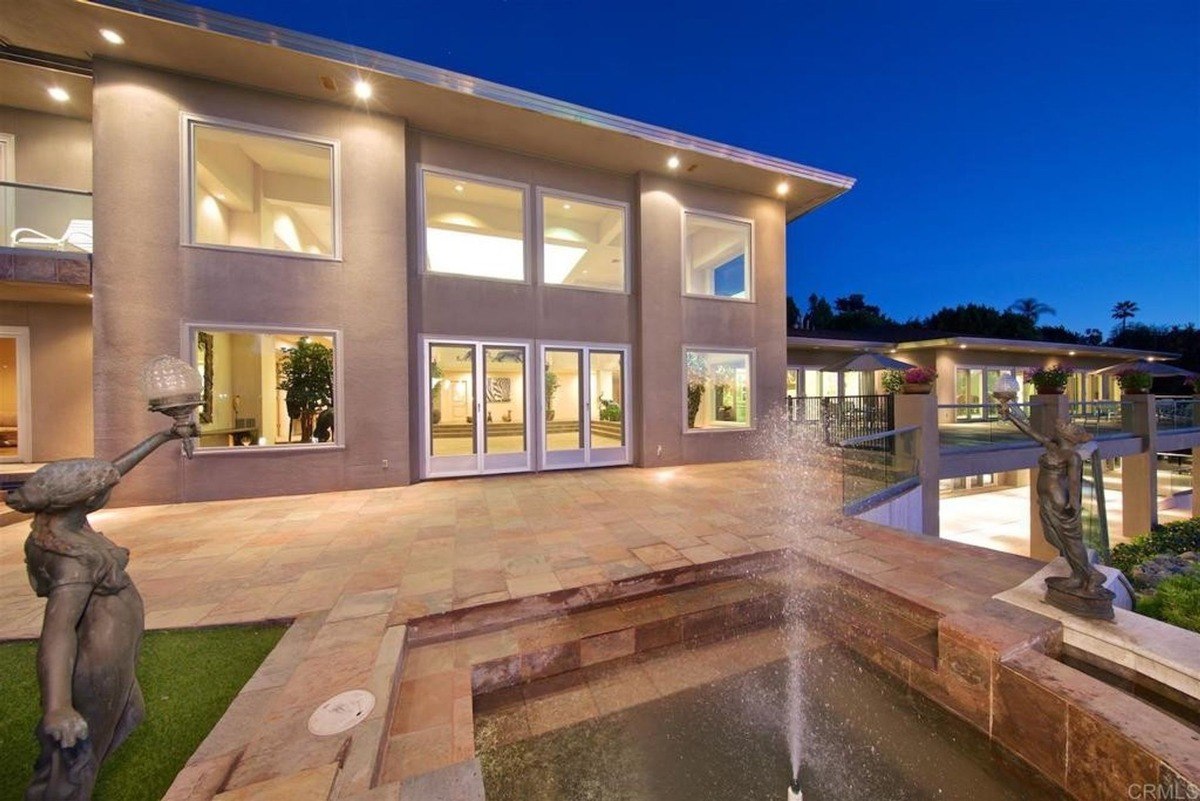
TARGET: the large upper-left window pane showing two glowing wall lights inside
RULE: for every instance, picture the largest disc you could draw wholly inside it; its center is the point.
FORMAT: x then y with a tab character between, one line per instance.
262	191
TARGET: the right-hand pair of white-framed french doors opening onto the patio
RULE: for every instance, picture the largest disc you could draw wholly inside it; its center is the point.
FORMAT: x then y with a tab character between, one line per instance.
585	405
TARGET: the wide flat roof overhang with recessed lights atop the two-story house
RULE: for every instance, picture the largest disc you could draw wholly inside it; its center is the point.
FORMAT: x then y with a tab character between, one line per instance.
195	41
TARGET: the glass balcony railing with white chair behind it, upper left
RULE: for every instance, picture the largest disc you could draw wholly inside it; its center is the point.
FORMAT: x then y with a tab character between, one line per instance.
45	219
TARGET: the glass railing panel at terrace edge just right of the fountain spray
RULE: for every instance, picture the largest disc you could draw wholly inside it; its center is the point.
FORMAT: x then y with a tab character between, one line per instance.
877	465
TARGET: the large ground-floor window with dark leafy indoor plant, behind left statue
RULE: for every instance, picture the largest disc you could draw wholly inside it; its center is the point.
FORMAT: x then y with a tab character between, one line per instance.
267	389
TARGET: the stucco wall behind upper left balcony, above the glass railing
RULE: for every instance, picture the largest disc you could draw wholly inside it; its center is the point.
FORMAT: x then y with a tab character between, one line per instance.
51	150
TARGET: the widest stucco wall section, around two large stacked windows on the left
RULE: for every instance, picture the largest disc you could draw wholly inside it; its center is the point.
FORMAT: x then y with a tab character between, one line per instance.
146	285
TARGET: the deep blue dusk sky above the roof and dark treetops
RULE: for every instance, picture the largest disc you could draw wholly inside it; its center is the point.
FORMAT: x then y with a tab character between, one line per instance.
1003	149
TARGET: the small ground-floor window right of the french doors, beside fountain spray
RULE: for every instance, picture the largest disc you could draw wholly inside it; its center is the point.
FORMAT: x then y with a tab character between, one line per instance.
718	389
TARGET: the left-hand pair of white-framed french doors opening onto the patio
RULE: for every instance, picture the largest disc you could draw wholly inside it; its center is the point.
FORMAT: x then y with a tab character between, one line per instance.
477	407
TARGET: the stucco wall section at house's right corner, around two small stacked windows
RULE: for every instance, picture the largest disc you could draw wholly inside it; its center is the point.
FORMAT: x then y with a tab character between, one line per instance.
669	322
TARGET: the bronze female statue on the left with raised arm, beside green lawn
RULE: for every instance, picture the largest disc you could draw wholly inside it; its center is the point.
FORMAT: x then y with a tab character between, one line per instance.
92	631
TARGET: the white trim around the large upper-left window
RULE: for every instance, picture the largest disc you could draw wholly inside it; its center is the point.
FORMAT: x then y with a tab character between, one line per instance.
188	177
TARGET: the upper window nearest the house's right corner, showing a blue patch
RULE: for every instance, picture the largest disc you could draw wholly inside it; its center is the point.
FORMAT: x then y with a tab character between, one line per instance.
717	257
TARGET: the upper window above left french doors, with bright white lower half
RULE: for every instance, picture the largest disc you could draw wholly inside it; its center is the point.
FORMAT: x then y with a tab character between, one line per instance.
473	228
